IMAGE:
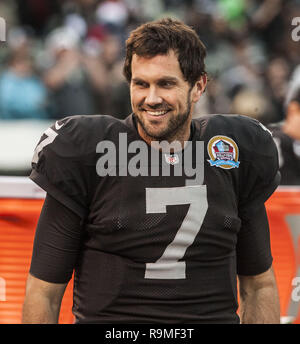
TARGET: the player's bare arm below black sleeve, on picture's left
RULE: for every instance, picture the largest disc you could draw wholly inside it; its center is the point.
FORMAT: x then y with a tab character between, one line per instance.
42	301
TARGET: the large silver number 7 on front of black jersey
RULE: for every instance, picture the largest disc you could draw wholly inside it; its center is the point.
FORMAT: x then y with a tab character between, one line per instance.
169	266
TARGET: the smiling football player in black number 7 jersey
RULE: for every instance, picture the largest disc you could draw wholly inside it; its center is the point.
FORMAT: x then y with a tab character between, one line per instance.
147	243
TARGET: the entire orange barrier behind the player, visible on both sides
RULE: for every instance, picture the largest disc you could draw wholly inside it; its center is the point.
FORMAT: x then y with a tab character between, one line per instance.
18	219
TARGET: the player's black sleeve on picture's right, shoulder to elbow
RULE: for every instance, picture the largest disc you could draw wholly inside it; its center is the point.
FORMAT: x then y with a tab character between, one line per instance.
258	180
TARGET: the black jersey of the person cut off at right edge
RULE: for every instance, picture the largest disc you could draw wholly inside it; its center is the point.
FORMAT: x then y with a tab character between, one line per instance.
289	155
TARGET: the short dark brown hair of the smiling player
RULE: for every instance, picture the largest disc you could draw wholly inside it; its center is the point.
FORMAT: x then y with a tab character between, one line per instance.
161	36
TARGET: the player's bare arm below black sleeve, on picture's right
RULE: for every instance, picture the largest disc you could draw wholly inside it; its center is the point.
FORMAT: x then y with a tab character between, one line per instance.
259	300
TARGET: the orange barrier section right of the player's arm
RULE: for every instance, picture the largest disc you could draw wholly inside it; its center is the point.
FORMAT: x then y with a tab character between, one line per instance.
283	210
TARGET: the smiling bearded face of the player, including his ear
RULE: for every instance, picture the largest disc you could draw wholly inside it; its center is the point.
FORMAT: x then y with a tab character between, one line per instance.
162	100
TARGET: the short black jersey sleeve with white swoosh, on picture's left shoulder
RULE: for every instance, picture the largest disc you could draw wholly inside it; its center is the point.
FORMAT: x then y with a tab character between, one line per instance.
58	164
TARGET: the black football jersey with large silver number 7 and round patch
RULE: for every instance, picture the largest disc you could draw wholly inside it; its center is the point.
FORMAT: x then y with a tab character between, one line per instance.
160	247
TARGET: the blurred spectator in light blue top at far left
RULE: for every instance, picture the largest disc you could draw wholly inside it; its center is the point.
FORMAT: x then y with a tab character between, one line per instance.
22	92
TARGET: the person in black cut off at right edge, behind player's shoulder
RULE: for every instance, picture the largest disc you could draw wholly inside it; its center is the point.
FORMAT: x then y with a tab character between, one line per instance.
287	134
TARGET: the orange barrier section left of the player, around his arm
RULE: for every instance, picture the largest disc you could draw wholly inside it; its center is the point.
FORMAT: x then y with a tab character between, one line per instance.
18	219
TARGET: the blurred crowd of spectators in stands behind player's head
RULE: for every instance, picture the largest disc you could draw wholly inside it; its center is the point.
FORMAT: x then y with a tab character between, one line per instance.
65	57
